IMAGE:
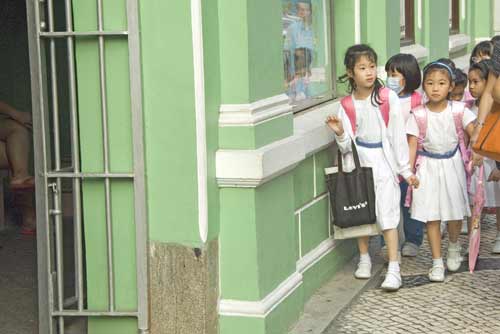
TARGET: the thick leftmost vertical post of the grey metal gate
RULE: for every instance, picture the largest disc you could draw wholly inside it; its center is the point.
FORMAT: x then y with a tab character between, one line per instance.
37	63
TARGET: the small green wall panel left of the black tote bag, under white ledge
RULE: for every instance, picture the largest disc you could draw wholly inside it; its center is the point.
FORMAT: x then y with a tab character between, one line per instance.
303	181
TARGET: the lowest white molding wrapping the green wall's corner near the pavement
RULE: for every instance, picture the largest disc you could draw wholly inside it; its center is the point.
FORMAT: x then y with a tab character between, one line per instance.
262	308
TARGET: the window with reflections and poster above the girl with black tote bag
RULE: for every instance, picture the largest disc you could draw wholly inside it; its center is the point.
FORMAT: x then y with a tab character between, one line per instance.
307	52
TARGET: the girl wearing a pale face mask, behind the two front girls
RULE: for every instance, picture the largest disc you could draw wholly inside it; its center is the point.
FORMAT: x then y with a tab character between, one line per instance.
404	78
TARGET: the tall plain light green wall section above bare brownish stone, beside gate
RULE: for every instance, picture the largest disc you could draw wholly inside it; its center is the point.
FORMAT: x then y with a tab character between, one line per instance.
170	128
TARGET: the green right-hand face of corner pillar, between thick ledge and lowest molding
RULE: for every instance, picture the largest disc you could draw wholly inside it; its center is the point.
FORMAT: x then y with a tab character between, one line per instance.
275	233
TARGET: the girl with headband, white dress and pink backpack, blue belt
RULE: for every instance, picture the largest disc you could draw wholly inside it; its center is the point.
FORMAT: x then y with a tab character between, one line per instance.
437	142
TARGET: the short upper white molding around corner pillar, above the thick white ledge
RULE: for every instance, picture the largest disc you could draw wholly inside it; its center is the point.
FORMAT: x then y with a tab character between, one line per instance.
255	113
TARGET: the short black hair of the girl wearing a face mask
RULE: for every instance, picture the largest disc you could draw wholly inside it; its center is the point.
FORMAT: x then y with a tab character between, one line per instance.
407	65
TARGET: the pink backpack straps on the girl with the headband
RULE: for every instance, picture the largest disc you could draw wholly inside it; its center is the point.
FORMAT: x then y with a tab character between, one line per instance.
420	113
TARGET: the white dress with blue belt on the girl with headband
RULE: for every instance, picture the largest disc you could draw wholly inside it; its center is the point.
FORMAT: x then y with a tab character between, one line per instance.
442	194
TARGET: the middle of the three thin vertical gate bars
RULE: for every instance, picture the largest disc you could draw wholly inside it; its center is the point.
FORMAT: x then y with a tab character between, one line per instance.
75	151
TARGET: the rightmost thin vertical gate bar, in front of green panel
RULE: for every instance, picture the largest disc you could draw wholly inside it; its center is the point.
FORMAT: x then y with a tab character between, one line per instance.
105	139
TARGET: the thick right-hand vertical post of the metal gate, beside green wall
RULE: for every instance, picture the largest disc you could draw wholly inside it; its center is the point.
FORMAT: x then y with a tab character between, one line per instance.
142	234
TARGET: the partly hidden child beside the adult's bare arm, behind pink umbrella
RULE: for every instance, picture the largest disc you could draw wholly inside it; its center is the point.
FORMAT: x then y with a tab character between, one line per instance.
478	75
